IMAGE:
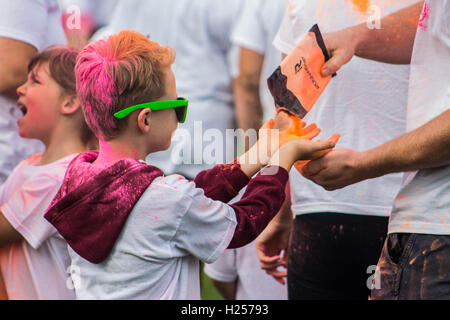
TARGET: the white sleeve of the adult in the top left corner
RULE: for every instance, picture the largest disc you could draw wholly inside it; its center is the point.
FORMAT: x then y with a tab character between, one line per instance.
24	20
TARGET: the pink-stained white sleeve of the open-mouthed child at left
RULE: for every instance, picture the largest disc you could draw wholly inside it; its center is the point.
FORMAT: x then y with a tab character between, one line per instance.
26	207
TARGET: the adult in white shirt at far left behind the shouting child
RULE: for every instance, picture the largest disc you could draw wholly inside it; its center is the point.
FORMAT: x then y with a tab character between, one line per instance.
26	27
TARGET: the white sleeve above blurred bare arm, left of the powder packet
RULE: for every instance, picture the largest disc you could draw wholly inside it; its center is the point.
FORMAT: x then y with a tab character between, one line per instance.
249	30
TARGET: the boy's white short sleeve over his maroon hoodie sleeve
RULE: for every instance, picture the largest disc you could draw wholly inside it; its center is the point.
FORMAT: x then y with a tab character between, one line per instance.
206	227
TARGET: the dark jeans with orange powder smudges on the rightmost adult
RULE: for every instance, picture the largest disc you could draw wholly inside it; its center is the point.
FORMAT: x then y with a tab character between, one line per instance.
414	267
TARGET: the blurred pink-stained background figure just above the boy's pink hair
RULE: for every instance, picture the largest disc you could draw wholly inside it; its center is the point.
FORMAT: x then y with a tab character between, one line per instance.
81	18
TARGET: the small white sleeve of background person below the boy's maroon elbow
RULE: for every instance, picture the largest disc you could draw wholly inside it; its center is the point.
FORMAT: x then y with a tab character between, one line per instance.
223	269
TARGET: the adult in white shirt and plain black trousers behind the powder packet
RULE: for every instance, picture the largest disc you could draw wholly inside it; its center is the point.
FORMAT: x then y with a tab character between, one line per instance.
337	236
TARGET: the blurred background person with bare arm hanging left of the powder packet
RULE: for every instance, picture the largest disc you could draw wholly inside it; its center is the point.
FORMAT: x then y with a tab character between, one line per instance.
253	33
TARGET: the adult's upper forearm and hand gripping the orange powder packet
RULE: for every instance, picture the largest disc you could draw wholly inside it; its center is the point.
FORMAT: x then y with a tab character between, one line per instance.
392	43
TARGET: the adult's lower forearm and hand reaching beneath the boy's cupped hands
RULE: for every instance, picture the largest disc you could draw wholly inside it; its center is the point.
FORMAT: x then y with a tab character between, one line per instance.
426	147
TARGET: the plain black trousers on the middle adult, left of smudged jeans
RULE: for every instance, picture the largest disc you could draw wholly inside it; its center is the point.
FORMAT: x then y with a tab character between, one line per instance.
334	255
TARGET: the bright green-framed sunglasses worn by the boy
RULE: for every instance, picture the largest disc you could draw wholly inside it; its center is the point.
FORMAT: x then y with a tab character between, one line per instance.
180	105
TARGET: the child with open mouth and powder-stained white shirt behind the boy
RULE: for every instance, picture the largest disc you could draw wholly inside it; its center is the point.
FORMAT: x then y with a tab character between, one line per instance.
34	259
